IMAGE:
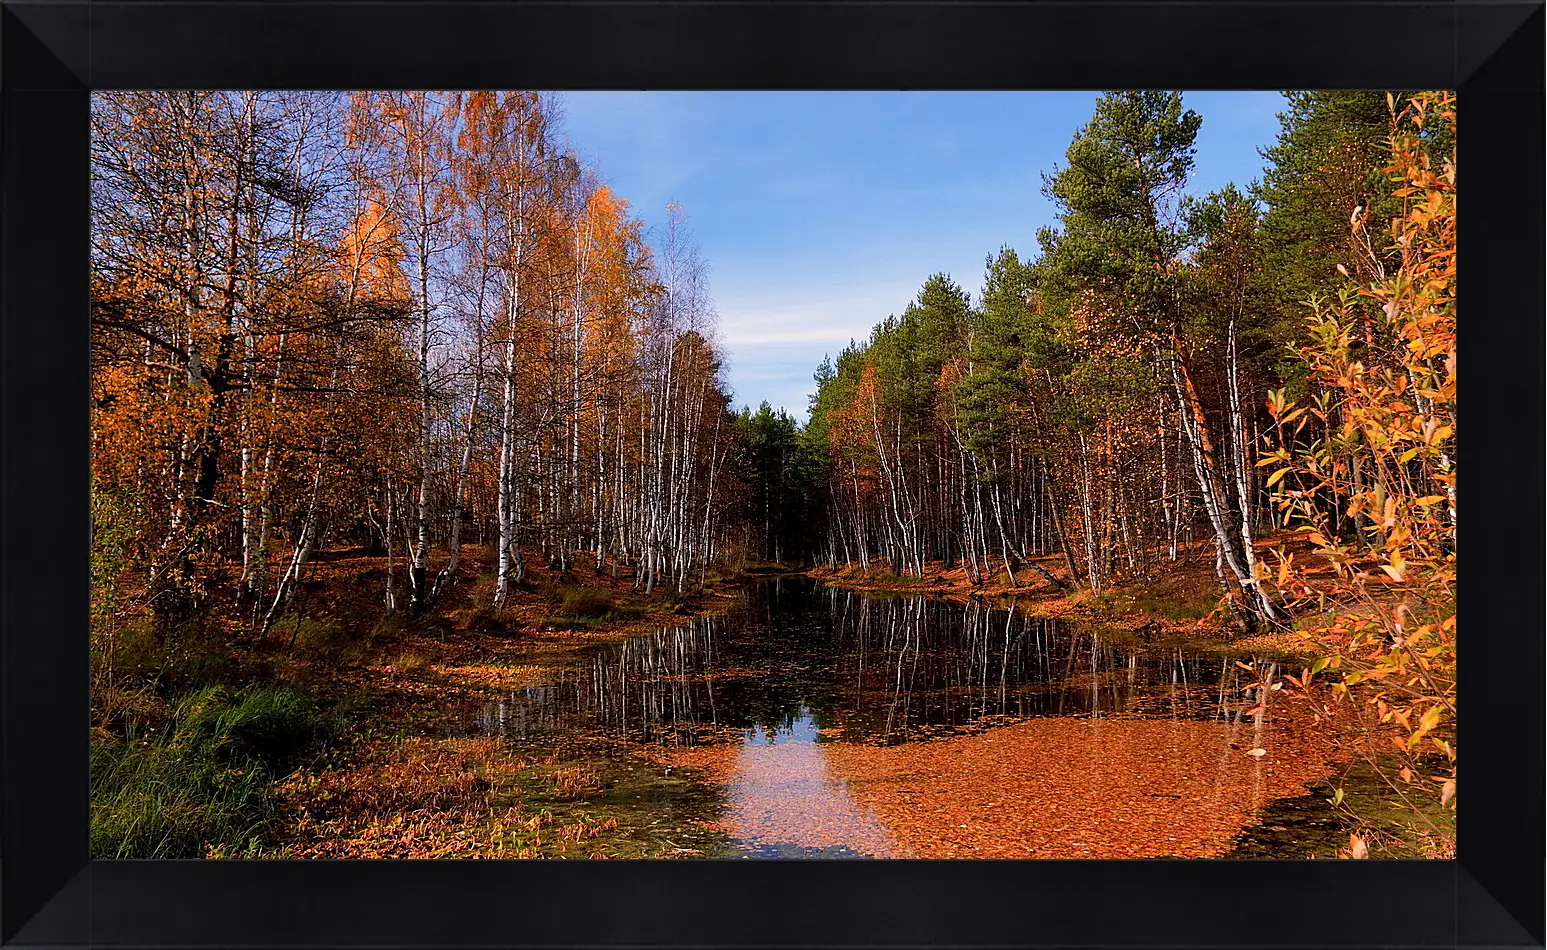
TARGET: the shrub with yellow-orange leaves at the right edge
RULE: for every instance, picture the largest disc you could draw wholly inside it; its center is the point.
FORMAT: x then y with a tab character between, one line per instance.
1368	470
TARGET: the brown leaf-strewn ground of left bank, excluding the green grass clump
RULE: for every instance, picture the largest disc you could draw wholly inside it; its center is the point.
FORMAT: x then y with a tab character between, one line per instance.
405	770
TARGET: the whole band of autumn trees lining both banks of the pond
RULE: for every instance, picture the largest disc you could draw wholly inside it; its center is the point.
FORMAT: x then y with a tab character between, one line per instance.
414	321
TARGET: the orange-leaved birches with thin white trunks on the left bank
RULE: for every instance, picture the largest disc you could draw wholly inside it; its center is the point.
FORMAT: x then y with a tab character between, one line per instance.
406	321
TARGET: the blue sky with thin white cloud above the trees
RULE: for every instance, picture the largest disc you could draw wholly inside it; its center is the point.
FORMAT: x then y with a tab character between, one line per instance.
822	213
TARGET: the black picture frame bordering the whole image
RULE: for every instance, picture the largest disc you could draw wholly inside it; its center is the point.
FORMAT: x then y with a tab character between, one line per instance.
53	53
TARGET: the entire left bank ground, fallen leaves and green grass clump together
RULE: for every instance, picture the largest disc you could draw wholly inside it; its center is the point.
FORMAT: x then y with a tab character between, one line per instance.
389	762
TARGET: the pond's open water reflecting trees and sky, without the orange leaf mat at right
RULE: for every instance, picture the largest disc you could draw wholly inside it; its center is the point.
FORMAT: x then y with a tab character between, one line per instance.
767	691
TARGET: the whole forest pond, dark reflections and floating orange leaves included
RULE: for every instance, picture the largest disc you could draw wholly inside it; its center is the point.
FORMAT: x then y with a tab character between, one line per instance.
845	725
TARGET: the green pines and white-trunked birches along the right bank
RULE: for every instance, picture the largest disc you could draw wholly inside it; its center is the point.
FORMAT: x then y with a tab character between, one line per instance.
1125	392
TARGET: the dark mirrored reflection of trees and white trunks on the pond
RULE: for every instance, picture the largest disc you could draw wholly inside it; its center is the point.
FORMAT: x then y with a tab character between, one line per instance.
869	669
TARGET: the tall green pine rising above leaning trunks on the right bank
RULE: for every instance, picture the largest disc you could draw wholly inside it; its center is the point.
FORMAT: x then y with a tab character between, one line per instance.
1119	267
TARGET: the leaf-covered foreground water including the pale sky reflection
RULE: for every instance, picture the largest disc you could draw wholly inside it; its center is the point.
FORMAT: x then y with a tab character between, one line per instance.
1048	788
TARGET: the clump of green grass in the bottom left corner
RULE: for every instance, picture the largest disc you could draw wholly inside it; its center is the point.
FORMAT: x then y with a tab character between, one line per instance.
202	779
